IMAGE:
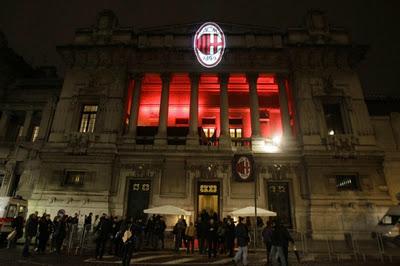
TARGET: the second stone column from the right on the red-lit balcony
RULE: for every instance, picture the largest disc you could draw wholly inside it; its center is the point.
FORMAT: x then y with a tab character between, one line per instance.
254	107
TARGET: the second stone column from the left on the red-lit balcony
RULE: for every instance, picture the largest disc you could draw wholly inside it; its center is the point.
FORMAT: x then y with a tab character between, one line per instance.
161	137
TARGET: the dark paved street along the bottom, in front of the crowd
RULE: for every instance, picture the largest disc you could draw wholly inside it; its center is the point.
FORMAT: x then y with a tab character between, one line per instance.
13	257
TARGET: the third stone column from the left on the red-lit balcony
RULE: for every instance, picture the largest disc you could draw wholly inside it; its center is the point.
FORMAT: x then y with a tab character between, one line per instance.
193	136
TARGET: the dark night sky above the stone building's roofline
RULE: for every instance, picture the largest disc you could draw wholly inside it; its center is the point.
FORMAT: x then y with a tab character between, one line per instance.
35	27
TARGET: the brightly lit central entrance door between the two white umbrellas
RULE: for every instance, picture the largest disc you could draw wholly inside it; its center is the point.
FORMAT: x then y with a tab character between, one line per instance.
208	197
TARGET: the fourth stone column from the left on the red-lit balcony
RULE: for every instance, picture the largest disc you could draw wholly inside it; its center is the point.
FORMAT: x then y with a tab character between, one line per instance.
224	136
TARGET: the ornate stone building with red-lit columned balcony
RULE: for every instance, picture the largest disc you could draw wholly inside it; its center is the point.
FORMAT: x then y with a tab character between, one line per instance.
140	123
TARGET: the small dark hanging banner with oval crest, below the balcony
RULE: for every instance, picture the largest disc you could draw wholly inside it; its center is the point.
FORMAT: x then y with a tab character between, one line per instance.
243	168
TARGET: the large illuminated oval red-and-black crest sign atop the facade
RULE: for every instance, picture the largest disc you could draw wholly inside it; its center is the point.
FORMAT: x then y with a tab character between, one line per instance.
209	44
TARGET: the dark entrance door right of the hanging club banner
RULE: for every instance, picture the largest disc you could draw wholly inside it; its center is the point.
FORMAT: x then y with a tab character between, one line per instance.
279	201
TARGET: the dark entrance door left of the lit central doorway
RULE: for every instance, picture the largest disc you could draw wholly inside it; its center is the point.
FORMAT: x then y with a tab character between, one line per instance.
138	198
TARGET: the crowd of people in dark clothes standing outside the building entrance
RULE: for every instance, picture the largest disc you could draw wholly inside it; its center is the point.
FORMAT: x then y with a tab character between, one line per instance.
121	237
